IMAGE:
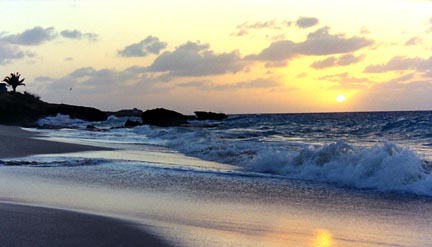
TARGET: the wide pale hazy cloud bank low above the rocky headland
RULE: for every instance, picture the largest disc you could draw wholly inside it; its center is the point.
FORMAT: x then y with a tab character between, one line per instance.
104	88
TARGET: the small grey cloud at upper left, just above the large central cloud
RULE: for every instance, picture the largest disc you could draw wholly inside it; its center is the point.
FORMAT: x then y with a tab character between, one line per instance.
147	46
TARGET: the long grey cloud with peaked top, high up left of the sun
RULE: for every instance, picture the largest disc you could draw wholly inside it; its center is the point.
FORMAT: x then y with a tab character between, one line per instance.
318	43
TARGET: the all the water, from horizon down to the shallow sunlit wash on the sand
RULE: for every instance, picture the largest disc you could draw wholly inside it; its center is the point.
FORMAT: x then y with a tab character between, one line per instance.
355	179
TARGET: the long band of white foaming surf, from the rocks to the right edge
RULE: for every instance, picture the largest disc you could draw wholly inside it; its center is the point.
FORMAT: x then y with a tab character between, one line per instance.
384	167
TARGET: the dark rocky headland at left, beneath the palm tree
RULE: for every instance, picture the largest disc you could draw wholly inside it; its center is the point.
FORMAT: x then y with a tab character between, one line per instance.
25	109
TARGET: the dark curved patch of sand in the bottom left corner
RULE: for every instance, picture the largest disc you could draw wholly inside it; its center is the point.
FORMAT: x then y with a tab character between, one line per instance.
23	226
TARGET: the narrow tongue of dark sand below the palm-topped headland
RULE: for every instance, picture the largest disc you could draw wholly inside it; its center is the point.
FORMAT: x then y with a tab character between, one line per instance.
16	142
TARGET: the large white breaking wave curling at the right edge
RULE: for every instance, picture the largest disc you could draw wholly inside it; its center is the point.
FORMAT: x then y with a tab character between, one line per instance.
386	167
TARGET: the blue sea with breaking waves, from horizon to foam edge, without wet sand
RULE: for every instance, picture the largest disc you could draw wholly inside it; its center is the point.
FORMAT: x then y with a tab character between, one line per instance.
383	151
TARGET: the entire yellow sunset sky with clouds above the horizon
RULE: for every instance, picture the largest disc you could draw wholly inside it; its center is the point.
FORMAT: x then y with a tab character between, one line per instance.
233	56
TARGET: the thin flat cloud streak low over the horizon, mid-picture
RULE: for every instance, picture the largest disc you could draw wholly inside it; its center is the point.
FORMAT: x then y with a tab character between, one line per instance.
261	83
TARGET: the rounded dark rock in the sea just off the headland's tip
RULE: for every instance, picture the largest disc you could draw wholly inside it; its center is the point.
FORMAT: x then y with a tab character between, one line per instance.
163	118
